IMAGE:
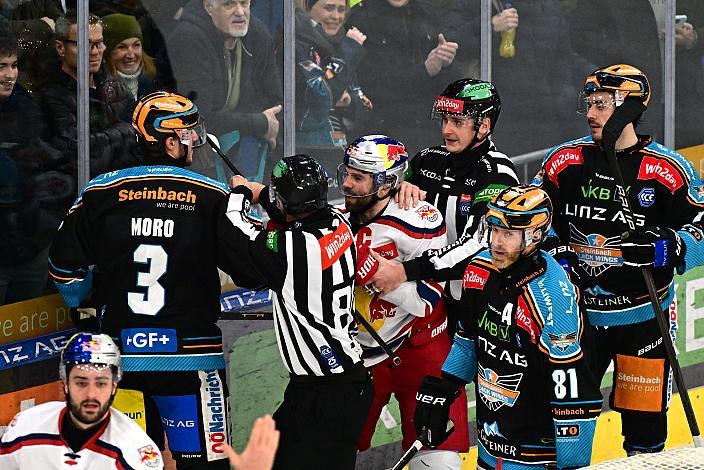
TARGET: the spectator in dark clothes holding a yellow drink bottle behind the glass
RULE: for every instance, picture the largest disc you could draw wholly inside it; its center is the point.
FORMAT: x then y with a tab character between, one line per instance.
541	53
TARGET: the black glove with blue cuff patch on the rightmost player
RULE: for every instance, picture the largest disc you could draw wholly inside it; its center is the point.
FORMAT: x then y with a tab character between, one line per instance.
652	246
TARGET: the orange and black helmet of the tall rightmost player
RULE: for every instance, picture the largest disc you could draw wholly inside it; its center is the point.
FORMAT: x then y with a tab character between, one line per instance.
624	81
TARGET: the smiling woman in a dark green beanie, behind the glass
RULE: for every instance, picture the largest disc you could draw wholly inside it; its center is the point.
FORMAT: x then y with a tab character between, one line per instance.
124	57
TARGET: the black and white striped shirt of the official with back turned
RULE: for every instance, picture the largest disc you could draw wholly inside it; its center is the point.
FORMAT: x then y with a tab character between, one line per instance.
309	266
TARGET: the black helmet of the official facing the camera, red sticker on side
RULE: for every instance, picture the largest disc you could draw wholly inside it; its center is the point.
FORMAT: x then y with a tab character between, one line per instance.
469	97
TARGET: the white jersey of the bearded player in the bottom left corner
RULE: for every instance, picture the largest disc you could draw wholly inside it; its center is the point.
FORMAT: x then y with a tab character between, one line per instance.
33	441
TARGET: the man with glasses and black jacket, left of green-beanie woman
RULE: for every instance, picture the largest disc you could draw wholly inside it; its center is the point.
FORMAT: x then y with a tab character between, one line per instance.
112	142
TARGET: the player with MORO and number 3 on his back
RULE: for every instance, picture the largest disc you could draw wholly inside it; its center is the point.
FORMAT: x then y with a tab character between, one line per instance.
152	233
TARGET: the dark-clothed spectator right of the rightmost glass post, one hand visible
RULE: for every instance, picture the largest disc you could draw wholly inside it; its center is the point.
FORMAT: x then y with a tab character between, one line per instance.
689	74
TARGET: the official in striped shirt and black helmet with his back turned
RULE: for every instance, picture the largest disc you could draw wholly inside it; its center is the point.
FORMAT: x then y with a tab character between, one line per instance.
309	264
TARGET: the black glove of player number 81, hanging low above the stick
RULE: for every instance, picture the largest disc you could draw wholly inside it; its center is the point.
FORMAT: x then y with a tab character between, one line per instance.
433	401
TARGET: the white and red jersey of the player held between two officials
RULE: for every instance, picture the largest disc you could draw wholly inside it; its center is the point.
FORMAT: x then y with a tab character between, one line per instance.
399	235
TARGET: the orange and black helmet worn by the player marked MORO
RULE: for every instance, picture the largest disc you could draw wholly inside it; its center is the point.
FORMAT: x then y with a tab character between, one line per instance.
162	114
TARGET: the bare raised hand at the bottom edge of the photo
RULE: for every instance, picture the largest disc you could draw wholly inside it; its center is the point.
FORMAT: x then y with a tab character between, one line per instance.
261	448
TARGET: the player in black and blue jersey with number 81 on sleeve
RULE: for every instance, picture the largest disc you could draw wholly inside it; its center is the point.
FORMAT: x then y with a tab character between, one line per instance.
520	340
